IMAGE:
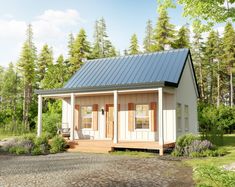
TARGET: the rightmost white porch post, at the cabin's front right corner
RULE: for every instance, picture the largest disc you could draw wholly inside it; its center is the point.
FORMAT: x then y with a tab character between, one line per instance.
160	117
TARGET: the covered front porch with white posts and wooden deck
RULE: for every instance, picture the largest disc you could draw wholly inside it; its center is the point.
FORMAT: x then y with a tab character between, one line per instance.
158	143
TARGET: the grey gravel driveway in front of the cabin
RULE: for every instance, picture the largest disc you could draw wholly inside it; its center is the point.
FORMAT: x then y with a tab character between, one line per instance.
83	169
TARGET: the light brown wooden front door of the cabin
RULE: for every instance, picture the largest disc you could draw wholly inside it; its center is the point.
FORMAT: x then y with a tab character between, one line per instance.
109	122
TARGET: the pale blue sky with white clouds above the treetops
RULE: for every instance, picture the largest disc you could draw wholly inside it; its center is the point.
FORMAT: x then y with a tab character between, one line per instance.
53	20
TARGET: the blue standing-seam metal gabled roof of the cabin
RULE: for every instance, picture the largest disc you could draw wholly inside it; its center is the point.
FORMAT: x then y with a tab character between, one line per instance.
126	72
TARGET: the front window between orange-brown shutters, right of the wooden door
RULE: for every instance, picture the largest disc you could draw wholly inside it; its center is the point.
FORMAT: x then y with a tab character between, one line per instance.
142	116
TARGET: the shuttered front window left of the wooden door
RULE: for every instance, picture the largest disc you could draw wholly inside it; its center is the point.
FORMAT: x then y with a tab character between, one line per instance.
86	115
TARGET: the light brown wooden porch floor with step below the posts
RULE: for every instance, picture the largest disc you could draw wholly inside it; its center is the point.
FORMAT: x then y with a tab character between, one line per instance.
105	146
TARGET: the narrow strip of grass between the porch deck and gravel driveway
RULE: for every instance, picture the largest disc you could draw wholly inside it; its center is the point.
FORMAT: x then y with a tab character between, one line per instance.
138	154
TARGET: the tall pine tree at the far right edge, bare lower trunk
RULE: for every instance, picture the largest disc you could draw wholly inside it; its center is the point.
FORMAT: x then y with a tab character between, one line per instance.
229	56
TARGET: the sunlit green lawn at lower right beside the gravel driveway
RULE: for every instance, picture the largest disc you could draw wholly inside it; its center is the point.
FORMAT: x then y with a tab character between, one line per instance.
229	145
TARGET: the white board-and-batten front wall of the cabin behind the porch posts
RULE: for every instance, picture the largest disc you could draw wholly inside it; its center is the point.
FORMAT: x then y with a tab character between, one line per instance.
123	100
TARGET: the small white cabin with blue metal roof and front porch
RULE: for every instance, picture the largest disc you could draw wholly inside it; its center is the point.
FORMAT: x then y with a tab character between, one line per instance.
149	98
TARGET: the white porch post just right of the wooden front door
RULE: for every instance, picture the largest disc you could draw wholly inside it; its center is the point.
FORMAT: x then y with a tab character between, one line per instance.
115	102
